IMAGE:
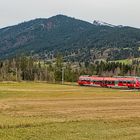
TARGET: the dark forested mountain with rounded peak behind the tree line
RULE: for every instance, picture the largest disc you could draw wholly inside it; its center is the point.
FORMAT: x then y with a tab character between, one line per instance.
76	40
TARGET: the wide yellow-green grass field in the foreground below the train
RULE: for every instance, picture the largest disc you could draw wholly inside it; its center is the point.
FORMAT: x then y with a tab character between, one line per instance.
40	111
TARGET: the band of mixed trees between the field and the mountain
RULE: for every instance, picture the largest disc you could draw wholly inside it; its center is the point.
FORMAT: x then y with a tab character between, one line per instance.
28	69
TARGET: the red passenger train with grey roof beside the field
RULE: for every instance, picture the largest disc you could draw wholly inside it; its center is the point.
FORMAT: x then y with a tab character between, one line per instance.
129	82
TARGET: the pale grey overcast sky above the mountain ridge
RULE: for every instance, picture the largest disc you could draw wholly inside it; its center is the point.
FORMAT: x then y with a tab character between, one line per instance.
118	12
